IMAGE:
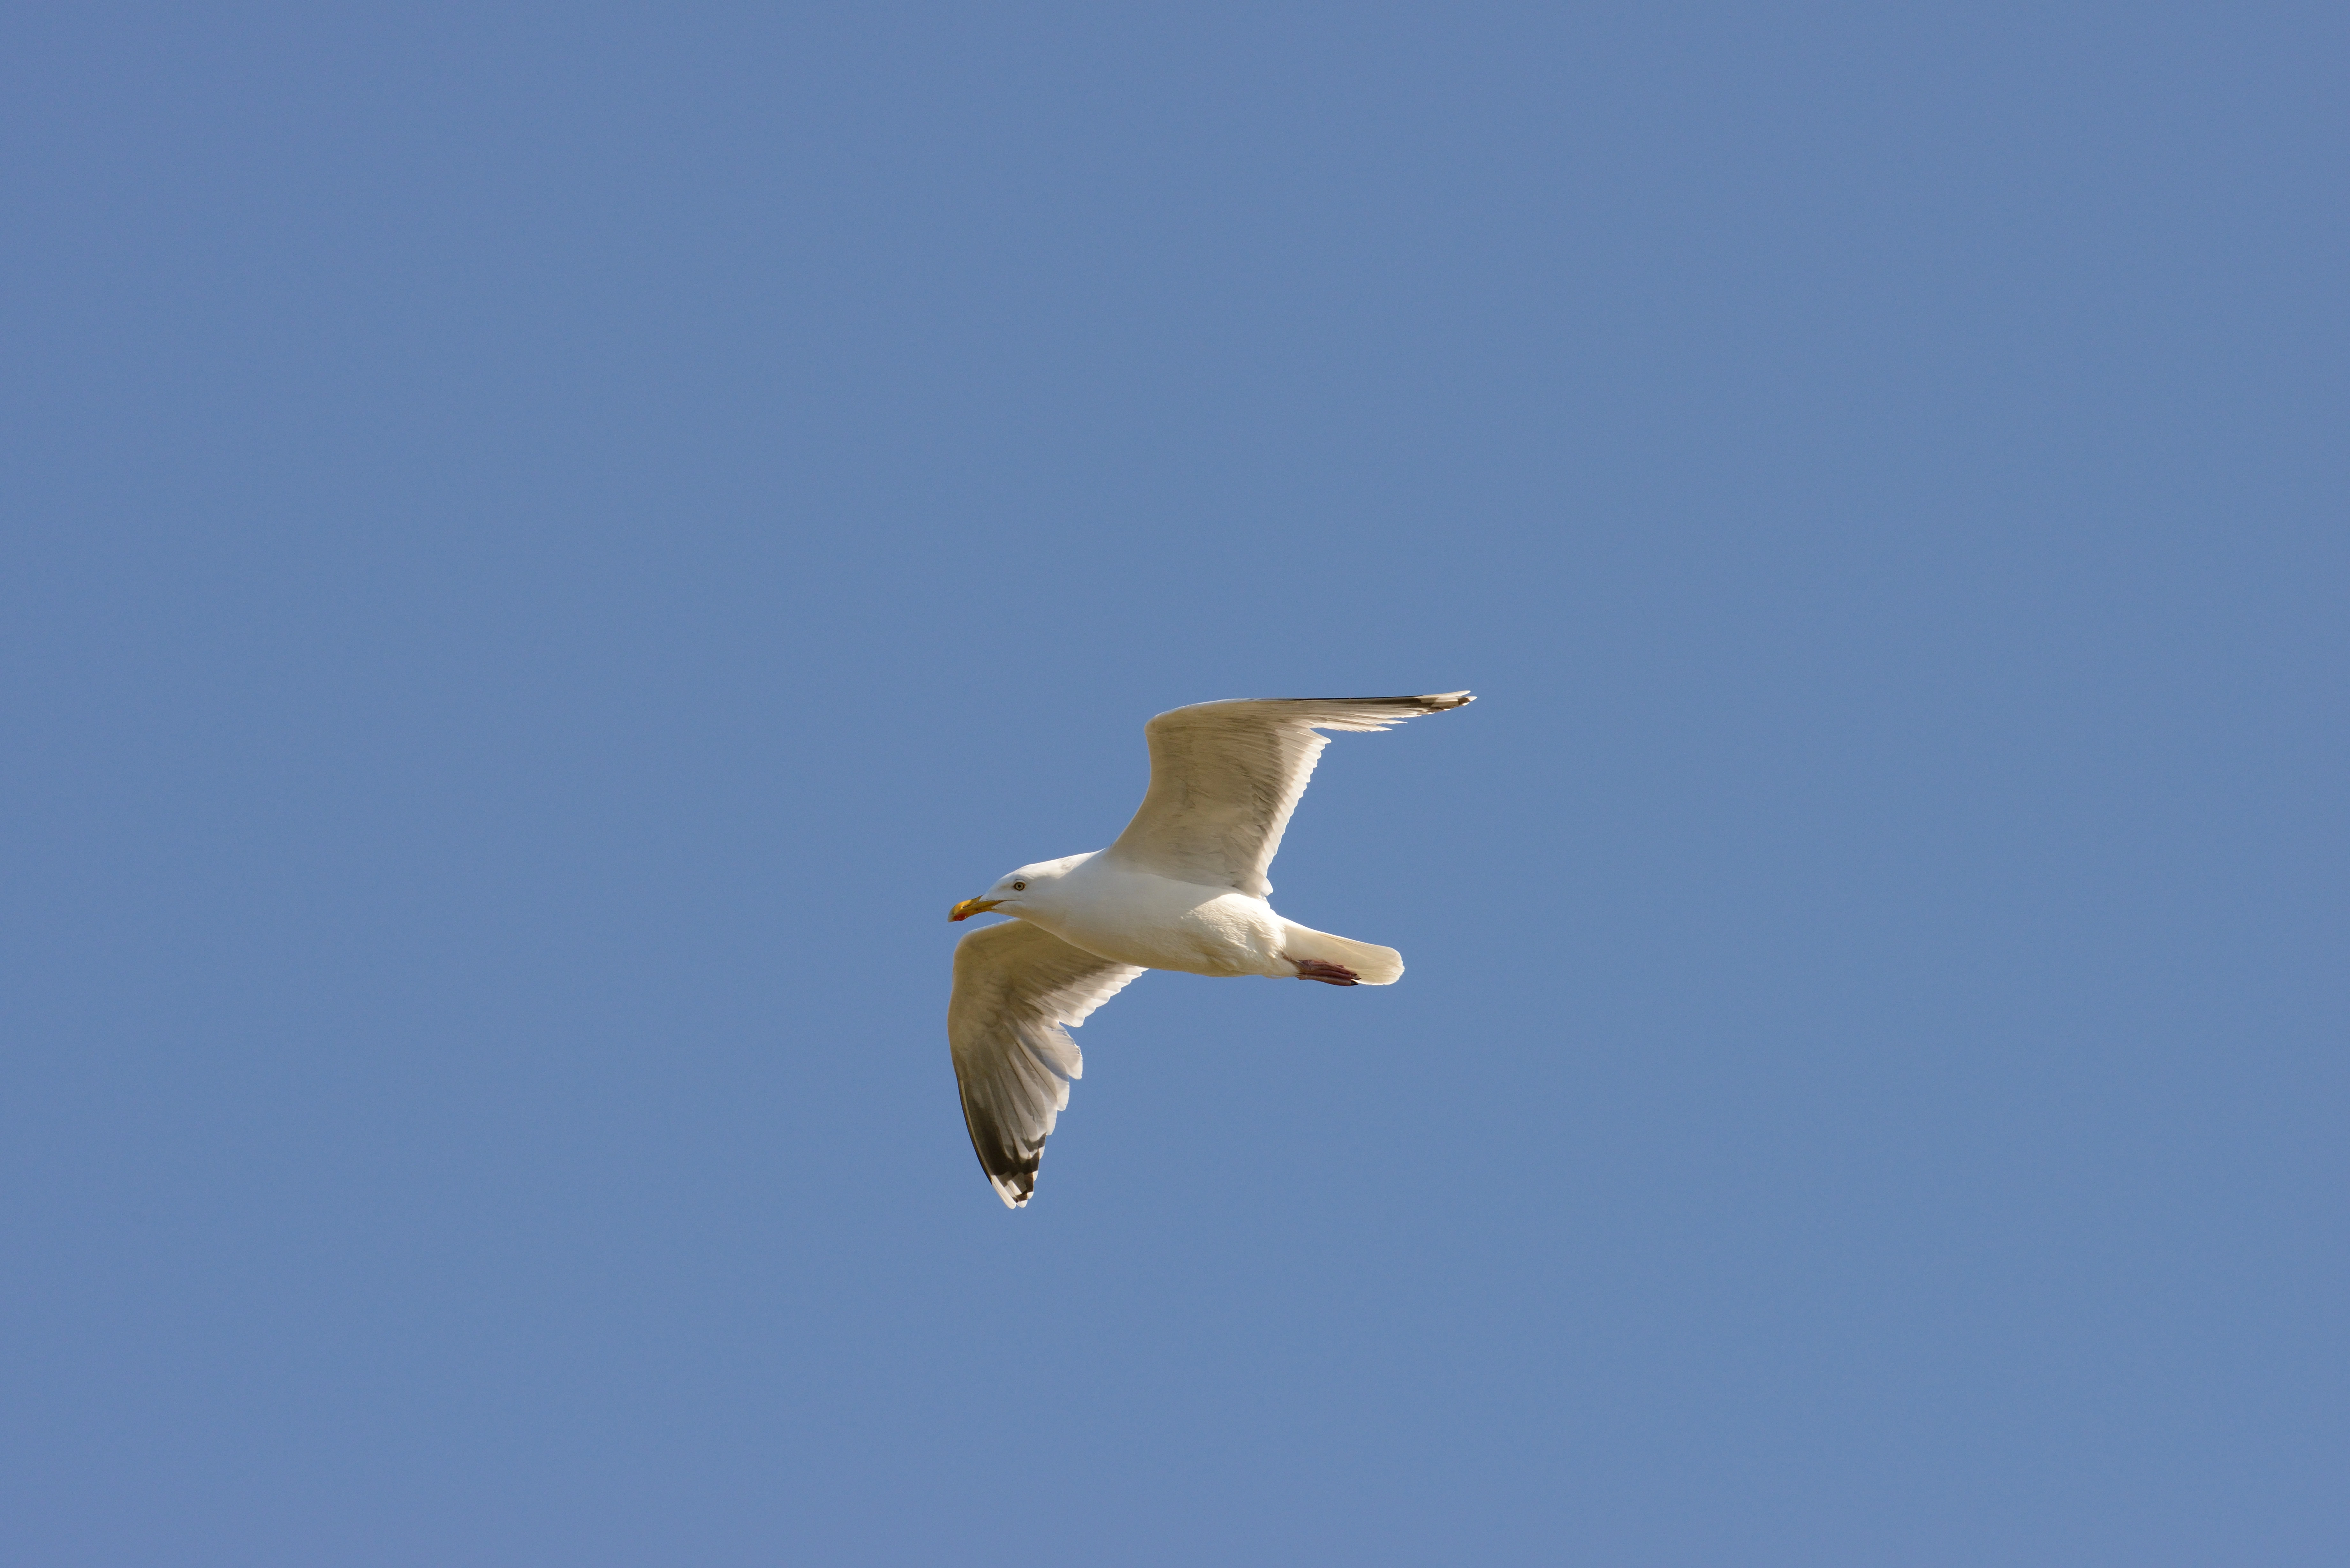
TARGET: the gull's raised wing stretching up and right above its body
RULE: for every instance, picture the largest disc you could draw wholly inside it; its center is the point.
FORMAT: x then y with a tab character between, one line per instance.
1226	779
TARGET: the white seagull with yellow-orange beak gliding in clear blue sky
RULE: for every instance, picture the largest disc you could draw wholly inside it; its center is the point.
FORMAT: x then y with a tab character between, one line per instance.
1181	890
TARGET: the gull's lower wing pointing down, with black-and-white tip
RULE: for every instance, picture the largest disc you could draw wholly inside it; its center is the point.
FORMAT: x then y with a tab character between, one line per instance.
1014	991
